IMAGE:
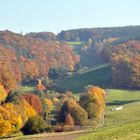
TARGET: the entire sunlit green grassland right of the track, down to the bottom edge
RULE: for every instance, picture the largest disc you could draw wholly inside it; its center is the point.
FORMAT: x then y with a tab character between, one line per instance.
123	124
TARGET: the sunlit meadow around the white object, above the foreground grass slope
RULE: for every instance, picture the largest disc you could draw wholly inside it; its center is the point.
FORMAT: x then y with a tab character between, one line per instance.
130	100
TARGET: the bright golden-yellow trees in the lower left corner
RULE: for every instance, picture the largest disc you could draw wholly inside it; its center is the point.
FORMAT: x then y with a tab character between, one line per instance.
13	116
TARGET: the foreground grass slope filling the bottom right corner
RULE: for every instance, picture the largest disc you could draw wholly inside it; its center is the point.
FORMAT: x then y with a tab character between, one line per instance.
129	131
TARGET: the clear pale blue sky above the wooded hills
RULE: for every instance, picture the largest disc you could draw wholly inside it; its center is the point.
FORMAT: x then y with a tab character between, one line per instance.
56	15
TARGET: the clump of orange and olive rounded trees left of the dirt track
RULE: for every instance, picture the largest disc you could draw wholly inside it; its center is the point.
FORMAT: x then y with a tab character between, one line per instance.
90	108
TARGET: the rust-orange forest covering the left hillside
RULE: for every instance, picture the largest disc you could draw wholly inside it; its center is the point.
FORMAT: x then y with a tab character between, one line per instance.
23	58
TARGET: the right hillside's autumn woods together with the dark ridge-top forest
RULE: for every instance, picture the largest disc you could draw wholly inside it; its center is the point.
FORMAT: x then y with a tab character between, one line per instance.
119	46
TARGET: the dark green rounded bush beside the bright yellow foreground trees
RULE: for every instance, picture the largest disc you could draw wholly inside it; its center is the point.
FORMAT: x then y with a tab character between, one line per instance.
34	125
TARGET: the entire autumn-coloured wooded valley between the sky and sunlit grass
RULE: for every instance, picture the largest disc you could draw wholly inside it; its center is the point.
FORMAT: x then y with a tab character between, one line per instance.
37	71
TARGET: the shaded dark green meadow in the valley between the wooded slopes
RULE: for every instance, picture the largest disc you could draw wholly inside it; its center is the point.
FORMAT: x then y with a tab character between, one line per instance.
96	76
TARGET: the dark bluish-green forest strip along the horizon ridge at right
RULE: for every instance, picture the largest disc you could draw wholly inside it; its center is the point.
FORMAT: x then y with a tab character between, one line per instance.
83	34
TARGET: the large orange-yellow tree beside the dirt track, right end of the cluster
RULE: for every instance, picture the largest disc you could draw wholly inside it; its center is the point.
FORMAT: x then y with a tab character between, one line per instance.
93	101
